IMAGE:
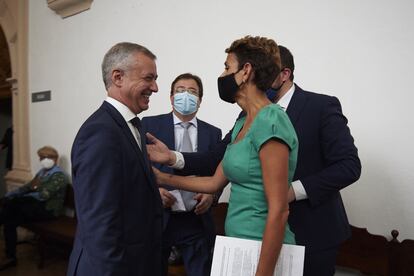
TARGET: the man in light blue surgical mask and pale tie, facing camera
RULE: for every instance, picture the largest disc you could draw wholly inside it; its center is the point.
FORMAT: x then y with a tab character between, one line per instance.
191	227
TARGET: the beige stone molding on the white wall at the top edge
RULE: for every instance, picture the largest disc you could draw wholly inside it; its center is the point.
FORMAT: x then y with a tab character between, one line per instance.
66	8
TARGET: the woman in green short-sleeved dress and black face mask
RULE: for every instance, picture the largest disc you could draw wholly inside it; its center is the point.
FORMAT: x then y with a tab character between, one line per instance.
261	159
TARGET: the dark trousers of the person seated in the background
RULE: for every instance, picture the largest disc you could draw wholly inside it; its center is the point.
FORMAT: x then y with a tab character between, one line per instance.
17	211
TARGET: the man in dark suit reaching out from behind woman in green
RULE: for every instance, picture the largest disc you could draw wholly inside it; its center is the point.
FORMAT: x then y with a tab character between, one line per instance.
327	162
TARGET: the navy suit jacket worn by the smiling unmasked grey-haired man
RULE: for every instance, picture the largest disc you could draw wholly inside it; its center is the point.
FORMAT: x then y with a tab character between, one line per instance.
118	206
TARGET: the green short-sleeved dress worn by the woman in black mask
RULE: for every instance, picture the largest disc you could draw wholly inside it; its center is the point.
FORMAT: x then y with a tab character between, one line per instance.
247	212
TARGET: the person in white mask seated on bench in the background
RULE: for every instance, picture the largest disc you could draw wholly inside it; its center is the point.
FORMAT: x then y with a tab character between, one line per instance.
40	199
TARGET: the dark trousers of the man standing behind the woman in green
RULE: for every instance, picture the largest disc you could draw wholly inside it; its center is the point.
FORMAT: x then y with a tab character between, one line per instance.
321	262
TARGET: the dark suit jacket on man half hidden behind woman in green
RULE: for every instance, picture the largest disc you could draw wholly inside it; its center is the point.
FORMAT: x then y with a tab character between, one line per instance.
327	162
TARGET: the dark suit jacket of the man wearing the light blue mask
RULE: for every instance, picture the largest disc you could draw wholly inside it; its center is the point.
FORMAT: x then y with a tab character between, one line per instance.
162	127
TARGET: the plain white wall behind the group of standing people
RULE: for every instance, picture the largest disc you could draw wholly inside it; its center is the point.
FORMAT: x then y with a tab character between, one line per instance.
359	51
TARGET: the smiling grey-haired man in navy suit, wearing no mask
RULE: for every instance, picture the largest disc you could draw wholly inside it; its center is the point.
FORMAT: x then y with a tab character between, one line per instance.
118	205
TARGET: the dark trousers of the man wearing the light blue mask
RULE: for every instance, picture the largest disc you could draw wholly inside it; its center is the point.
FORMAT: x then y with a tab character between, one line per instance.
186	232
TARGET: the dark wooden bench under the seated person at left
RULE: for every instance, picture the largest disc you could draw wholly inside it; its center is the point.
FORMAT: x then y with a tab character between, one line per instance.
59	232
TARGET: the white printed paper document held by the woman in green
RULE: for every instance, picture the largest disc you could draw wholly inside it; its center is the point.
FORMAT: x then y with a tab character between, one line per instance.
239	257
